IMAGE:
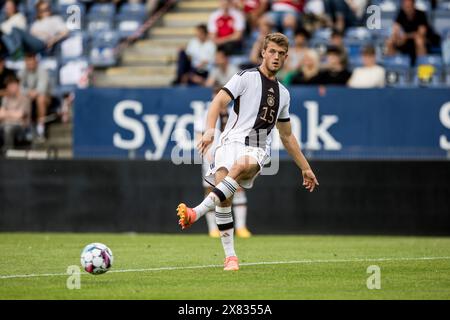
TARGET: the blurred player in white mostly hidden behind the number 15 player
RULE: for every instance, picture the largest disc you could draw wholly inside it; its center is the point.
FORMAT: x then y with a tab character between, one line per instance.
239	198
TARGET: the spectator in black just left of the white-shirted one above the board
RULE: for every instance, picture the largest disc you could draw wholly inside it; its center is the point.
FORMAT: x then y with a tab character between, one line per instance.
335	72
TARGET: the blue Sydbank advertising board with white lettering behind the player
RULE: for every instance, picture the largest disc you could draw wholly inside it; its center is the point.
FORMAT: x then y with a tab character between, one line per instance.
336	123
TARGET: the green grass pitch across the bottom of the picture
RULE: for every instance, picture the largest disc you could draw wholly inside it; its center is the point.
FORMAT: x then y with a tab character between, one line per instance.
187	266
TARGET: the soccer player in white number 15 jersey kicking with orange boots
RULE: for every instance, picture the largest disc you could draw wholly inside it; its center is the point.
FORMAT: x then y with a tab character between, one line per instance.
260	103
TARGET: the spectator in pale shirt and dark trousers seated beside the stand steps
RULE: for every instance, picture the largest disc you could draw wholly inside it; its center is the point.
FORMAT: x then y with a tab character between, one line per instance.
195	62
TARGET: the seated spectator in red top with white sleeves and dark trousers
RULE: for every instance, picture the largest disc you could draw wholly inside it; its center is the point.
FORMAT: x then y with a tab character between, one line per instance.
226	27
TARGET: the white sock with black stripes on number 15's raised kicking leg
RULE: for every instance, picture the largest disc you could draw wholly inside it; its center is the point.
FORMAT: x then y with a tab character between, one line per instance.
221	192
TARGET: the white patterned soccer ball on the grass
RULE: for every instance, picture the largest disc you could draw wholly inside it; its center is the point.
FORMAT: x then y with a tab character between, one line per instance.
96	258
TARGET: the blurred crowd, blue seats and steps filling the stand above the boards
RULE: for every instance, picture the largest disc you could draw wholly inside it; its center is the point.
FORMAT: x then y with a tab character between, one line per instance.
48	49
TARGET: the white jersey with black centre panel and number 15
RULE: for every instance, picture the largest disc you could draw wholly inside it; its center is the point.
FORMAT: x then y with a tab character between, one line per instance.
258	104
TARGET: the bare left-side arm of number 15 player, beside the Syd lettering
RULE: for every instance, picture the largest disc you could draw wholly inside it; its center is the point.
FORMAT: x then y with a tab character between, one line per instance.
221	100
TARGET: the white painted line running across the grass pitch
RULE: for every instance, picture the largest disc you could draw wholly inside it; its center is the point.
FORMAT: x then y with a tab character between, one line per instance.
241	264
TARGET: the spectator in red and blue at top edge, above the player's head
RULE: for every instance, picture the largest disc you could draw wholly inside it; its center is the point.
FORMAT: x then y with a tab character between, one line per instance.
285	15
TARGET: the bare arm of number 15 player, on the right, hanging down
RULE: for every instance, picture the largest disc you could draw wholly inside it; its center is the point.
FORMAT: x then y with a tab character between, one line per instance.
293	148
